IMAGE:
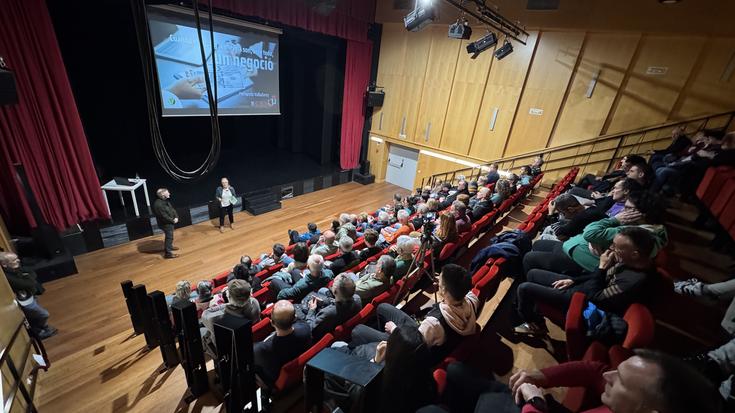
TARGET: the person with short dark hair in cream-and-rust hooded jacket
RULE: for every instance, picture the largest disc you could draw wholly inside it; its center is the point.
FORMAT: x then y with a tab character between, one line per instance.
445	324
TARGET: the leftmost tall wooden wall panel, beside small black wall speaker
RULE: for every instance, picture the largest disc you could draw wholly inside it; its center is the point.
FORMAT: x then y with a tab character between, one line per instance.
386	119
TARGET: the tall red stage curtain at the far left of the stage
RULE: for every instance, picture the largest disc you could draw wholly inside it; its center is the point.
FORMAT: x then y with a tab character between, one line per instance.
43	132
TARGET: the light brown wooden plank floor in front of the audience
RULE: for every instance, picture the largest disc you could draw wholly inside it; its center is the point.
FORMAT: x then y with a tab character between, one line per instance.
96	363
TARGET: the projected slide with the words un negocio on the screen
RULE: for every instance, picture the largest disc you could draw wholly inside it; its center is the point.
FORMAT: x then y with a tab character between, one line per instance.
245	55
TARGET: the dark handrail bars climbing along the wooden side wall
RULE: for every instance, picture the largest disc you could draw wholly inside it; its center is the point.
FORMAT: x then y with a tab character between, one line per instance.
474	172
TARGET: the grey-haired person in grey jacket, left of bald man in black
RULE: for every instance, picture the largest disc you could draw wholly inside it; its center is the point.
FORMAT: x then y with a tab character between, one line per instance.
239	304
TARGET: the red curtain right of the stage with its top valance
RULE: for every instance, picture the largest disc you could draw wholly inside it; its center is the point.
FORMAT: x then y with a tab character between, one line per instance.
350	20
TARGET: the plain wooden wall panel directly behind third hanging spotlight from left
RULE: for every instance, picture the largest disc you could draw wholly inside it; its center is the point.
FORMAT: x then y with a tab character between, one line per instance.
468	87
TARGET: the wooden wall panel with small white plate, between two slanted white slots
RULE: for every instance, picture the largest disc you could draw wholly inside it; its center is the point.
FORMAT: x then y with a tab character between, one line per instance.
547	83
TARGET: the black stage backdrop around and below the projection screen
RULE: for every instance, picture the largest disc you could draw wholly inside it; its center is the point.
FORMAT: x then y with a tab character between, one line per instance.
101	53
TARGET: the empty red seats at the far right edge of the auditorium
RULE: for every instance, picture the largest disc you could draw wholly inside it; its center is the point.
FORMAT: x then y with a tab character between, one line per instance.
717	191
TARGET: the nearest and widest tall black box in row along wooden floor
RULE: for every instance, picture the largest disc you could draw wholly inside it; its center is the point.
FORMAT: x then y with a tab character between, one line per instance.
234	363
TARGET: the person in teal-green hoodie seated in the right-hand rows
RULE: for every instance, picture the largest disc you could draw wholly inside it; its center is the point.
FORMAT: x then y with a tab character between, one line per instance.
581	252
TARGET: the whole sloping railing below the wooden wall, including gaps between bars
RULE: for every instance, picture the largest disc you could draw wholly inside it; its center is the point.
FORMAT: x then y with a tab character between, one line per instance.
598	154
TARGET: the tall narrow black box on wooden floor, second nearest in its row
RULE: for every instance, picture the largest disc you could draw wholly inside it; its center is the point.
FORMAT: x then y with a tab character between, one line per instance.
191	351
